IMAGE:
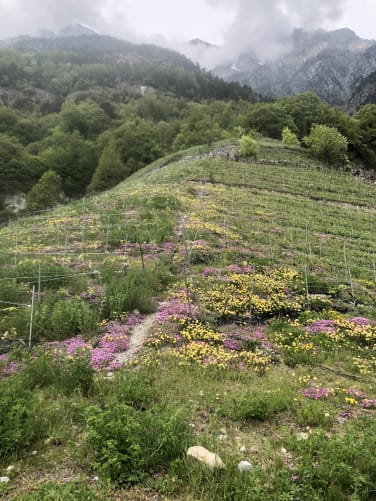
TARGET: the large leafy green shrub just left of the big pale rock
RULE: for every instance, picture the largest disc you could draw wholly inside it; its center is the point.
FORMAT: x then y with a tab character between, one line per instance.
128	444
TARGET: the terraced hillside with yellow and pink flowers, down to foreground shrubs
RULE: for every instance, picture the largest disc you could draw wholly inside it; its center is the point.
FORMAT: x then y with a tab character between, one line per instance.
262	276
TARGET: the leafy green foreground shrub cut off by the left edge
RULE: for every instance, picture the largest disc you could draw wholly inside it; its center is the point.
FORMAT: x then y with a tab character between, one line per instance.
19	425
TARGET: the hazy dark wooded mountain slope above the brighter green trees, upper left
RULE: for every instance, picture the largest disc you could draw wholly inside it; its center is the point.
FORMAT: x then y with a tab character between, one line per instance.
62	65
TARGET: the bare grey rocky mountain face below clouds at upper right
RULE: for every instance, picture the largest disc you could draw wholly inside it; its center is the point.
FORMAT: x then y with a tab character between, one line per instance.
335	65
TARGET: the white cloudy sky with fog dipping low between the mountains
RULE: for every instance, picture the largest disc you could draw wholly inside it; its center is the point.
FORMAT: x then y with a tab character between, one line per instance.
263	26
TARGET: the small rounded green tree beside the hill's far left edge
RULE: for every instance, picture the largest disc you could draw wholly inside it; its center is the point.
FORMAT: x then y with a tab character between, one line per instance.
46	193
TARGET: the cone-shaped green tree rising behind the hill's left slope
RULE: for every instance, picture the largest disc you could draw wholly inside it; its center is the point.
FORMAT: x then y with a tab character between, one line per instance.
110	170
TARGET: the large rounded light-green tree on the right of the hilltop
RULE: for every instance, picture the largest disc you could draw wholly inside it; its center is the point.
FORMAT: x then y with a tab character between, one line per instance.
327	144
